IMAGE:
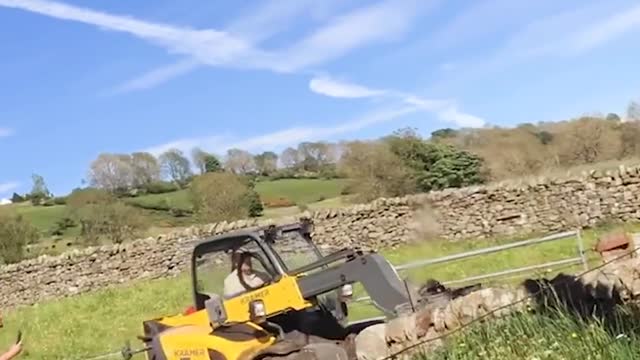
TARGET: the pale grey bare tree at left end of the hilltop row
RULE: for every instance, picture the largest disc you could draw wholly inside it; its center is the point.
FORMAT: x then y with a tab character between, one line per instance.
112	172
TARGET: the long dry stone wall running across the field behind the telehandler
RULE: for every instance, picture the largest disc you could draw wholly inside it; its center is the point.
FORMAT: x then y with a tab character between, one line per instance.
541	206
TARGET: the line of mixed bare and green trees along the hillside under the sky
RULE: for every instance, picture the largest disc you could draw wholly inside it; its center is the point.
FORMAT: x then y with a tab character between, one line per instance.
403	162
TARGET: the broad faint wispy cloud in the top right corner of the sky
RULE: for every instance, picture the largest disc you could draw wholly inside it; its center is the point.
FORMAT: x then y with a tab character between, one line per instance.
553	31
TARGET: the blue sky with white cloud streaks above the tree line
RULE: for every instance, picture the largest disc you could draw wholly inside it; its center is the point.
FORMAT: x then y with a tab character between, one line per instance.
83	77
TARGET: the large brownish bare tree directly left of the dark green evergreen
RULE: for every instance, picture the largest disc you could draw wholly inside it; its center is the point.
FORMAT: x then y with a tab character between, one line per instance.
375	171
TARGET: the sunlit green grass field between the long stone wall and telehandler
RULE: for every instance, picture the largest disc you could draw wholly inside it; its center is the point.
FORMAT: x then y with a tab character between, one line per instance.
99	322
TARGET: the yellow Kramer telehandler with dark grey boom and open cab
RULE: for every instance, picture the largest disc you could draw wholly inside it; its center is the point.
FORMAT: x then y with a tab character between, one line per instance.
291	304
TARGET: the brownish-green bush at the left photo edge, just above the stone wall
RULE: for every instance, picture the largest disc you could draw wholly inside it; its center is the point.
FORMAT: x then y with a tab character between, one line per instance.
15	234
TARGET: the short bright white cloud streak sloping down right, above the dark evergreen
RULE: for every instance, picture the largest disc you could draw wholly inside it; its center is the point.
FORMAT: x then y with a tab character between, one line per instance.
445	110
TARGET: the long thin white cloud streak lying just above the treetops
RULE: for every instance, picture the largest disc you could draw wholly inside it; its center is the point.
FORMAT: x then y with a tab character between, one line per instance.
286	137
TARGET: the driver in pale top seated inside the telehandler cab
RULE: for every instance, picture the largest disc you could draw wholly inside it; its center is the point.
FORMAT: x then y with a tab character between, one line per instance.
242	267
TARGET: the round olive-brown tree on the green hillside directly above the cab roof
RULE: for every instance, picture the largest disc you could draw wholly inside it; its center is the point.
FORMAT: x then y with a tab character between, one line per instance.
220	196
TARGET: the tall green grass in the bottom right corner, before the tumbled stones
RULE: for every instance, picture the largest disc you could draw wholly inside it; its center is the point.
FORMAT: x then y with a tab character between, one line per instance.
554	336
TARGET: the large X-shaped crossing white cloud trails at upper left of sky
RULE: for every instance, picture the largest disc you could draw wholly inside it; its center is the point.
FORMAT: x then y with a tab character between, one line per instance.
212	47
